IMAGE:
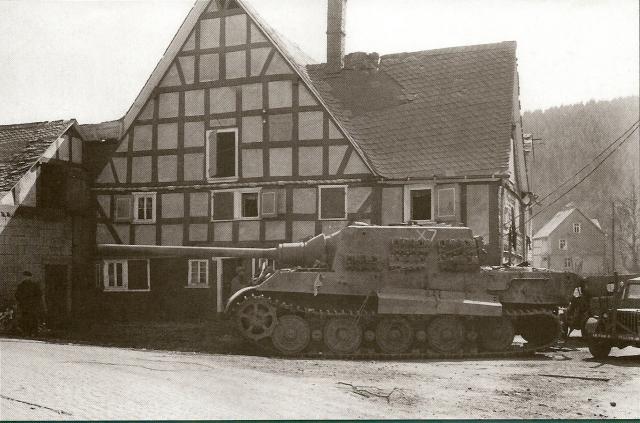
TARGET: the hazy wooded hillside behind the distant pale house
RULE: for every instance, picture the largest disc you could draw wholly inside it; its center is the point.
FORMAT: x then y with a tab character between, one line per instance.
571	137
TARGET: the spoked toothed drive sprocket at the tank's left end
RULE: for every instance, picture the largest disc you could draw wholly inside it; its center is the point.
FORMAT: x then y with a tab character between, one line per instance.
256	318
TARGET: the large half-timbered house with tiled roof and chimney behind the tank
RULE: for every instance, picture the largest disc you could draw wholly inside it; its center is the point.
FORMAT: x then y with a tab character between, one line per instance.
238	139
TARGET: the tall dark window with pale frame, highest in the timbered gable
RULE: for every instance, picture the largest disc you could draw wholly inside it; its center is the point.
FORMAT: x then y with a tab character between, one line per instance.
222	154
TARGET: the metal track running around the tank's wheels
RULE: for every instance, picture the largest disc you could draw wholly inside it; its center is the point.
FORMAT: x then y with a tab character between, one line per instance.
283	307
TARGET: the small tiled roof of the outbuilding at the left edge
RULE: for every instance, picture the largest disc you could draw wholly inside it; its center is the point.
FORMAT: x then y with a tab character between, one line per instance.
22	145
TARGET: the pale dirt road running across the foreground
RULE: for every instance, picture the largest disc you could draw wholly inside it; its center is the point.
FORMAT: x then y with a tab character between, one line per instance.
52	381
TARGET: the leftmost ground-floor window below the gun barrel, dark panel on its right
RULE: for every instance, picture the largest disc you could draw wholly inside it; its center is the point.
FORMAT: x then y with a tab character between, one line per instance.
126	275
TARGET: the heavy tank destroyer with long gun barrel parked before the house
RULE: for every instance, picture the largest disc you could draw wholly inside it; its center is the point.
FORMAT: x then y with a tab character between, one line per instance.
389	291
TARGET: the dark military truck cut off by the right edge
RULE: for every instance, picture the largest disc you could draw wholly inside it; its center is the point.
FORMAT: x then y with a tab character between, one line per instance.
617	323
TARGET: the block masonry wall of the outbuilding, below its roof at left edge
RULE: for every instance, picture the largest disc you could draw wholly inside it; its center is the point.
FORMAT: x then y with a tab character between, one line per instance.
29	239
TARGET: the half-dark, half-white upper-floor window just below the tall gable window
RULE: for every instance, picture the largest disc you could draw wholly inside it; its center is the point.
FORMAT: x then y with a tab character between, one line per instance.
238	204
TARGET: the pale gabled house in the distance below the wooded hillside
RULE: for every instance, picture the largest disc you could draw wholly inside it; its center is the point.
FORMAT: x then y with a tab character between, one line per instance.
571	241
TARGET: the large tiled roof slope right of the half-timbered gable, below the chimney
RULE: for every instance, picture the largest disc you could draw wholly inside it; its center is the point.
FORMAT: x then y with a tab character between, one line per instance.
445	112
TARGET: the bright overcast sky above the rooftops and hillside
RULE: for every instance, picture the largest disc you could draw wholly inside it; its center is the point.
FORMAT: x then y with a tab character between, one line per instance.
89	59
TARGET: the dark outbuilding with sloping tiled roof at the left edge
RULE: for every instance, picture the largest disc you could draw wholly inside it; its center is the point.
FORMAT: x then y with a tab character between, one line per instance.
43	201
